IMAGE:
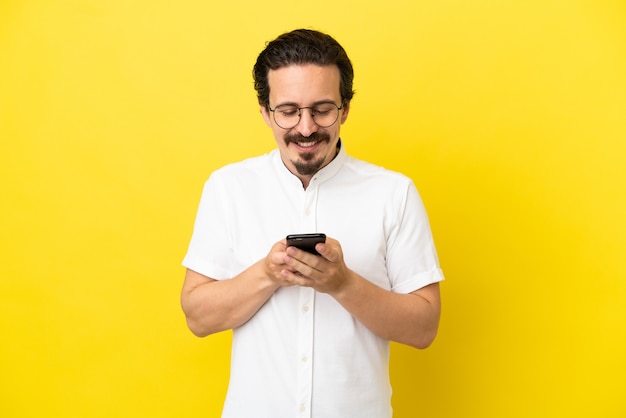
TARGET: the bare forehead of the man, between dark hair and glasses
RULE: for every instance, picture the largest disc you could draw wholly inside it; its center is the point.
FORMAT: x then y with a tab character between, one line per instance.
304	84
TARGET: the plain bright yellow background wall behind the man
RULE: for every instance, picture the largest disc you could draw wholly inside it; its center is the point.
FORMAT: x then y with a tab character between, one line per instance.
509	116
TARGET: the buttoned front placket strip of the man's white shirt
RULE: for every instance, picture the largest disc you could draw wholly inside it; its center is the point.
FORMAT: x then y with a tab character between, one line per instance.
306	314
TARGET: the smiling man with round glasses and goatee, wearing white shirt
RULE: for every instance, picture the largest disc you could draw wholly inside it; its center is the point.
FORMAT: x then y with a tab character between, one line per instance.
310	332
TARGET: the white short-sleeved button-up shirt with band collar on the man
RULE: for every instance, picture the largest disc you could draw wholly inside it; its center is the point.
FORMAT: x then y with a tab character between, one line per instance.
302	354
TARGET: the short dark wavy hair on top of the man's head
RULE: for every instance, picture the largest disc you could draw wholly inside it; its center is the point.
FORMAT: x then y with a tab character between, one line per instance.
299	47
